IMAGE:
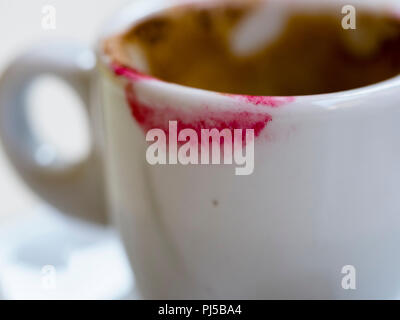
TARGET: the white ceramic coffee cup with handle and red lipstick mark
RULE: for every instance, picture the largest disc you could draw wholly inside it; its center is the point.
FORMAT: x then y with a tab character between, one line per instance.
318	218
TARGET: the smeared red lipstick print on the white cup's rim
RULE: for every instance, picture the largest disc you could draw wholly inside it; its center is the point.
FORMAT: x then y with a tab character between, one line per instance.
149	117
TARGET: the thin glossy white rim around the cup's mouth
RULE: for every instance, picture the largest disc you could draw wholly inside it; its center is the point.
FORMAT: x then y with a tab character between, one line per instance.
150	8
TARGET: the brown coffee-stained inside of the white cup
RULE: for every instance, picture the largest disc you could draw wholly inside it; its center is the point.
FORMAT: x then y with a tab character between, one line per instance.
311	54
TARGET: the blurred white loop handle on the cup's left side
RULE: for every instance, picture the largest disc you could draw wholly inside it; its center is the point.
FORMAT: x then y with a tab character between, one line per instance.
73	188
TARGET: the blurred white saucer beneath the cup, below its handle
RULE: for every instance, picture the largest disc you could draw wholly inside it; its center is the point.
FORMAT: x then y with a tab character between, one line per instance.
50	256
